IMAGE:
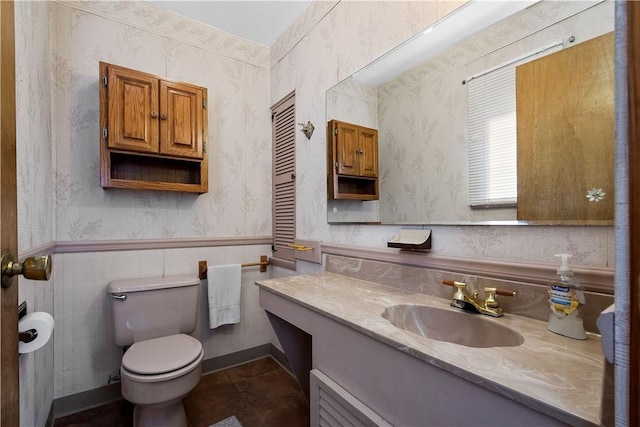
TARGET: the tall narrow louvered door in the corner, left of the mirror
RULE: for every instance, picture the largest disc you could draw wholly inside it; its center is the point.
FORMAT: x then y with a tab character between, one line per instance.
284	168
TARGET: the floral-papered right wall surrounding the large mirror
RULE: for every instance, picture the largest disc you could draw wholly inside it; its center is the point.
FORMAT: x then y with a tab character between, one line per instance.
331	41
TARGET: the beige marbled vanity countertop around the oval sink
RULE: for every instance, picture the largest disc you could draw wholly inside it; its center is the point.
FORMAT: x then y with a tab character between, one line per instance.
548	372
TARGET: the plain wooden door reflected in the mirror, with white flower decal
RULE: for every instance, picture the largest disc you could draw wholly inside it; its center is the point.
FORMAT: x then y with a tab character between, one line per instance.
565	127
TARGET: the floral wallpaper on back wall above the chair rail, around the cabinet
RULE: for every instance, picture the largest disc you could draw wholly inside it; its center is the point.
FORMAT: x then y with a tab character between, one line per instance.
145	38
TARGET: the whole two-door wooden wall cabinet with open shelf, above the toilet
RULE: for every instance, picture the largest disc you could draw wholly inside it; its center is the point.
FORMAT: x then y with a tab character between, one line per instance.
153	132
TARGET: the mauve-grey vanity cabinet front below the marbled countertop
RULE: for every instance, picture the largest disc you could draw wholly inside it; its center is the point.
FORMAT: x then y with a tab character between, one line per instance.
383	383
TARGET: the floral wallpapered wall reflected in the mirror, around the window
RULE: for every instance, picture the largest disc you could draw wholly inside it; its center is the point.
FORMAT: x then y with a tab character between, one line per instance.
423	113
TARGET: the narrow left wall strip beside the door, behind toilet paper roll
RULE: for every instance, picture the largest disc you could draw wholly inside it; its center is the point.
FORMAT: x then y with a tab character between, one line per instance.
35	191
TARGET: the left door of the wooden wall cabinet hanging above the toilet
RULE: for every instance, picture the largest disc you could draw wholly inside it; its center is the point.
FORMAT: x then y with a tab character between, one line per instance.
133	110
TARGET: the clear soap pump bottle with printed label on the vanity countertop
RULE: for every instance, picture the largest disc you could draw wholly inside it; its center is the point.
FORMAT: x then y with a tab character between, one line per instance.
566	302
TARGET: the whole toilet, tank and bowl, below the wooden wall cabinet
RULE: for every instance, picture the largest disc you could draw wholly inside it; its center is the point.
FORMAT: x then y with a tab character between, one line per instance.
162	364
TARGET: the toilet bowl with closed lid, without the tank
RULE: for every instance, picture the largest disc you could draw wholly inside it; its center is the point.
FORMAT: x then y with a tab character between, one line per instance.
157	374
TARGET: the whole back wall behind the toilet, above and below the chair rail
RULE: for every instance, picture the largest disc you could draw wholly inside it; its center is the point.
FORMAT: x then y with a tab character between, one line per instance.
140	36
